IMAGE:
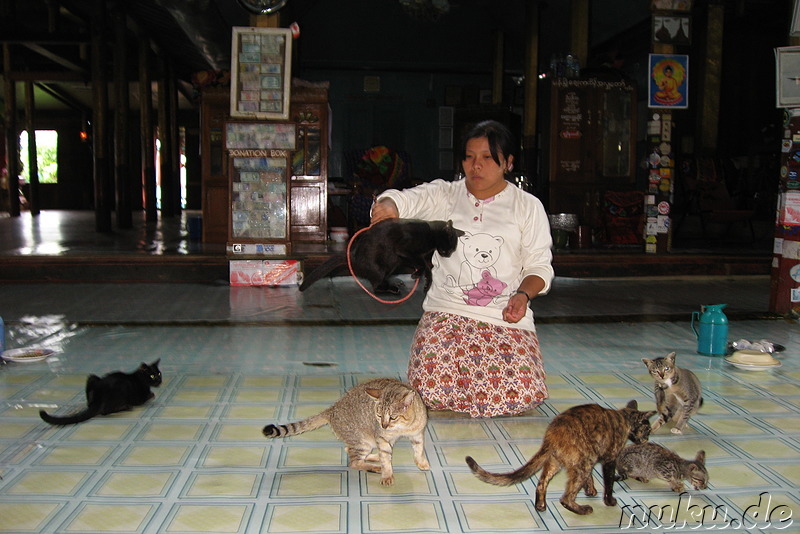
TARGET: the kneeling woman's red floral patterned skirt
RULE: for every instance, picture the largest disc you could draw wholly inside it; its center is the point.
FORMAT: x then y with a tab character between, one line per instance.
471	366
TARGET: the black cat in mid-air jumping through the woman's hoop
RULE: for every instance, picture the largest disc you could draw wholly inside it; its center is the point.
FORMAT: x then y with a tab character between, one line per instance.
388	247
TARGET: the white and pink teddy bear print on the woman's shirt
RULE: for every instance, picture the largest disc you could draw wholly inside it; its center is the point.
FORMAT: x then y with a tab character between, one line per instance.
477	275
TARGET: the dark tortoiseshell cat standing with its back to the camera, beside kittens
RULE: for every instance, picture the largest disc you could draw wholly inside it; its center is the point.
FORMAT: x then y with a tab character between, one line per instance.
575	440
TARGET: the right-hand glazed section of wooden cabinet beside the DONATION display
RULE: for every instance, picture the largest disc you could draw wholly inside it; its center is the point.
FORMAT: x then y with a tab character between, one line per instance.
309	173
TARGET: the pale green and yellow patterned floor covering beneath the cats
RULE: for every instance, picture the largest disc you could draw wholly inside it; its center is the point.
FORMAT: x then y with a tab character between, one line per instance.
194	459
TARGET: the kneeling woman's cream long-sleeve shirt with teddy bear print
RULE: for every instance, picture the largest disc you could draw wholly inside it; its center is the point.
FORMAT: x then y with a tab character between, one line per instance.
507	237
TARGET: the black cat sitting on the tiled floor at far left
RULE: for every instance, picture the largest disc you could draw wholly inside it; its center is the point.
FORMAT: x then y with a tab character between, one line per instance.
115	392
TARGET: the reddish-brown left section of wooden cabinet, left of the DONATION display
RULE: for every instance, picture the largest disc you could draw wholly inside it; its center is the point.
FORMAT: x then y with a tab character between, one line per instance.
214	107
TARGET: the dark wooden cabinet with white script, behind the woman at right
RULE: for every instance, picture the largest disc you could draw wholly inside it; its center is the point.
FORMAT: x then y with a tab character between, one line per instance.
592	140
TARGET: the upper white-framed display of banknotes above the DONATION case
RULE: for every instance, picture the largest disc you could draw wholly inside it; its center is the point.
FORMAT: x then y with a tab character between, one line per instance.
261	72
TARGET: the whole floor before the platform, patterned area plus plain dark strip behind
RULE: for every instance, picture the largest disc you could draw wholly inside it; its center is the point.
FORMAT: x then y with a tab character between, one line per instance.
194	459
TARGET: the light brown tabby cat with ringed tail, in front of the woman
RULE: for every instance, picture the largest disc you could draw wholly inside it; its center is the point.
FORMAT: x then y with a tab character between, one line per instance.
371	415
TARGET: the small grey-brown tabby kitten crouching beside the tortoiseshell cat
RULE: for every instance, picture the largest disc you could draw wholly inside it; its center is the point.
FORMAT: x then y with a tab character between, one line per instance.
651	460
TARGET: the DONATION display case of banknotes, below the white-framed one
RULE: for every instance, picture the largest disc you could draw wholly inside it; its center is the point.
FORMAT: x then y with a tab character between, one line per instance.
259	156
